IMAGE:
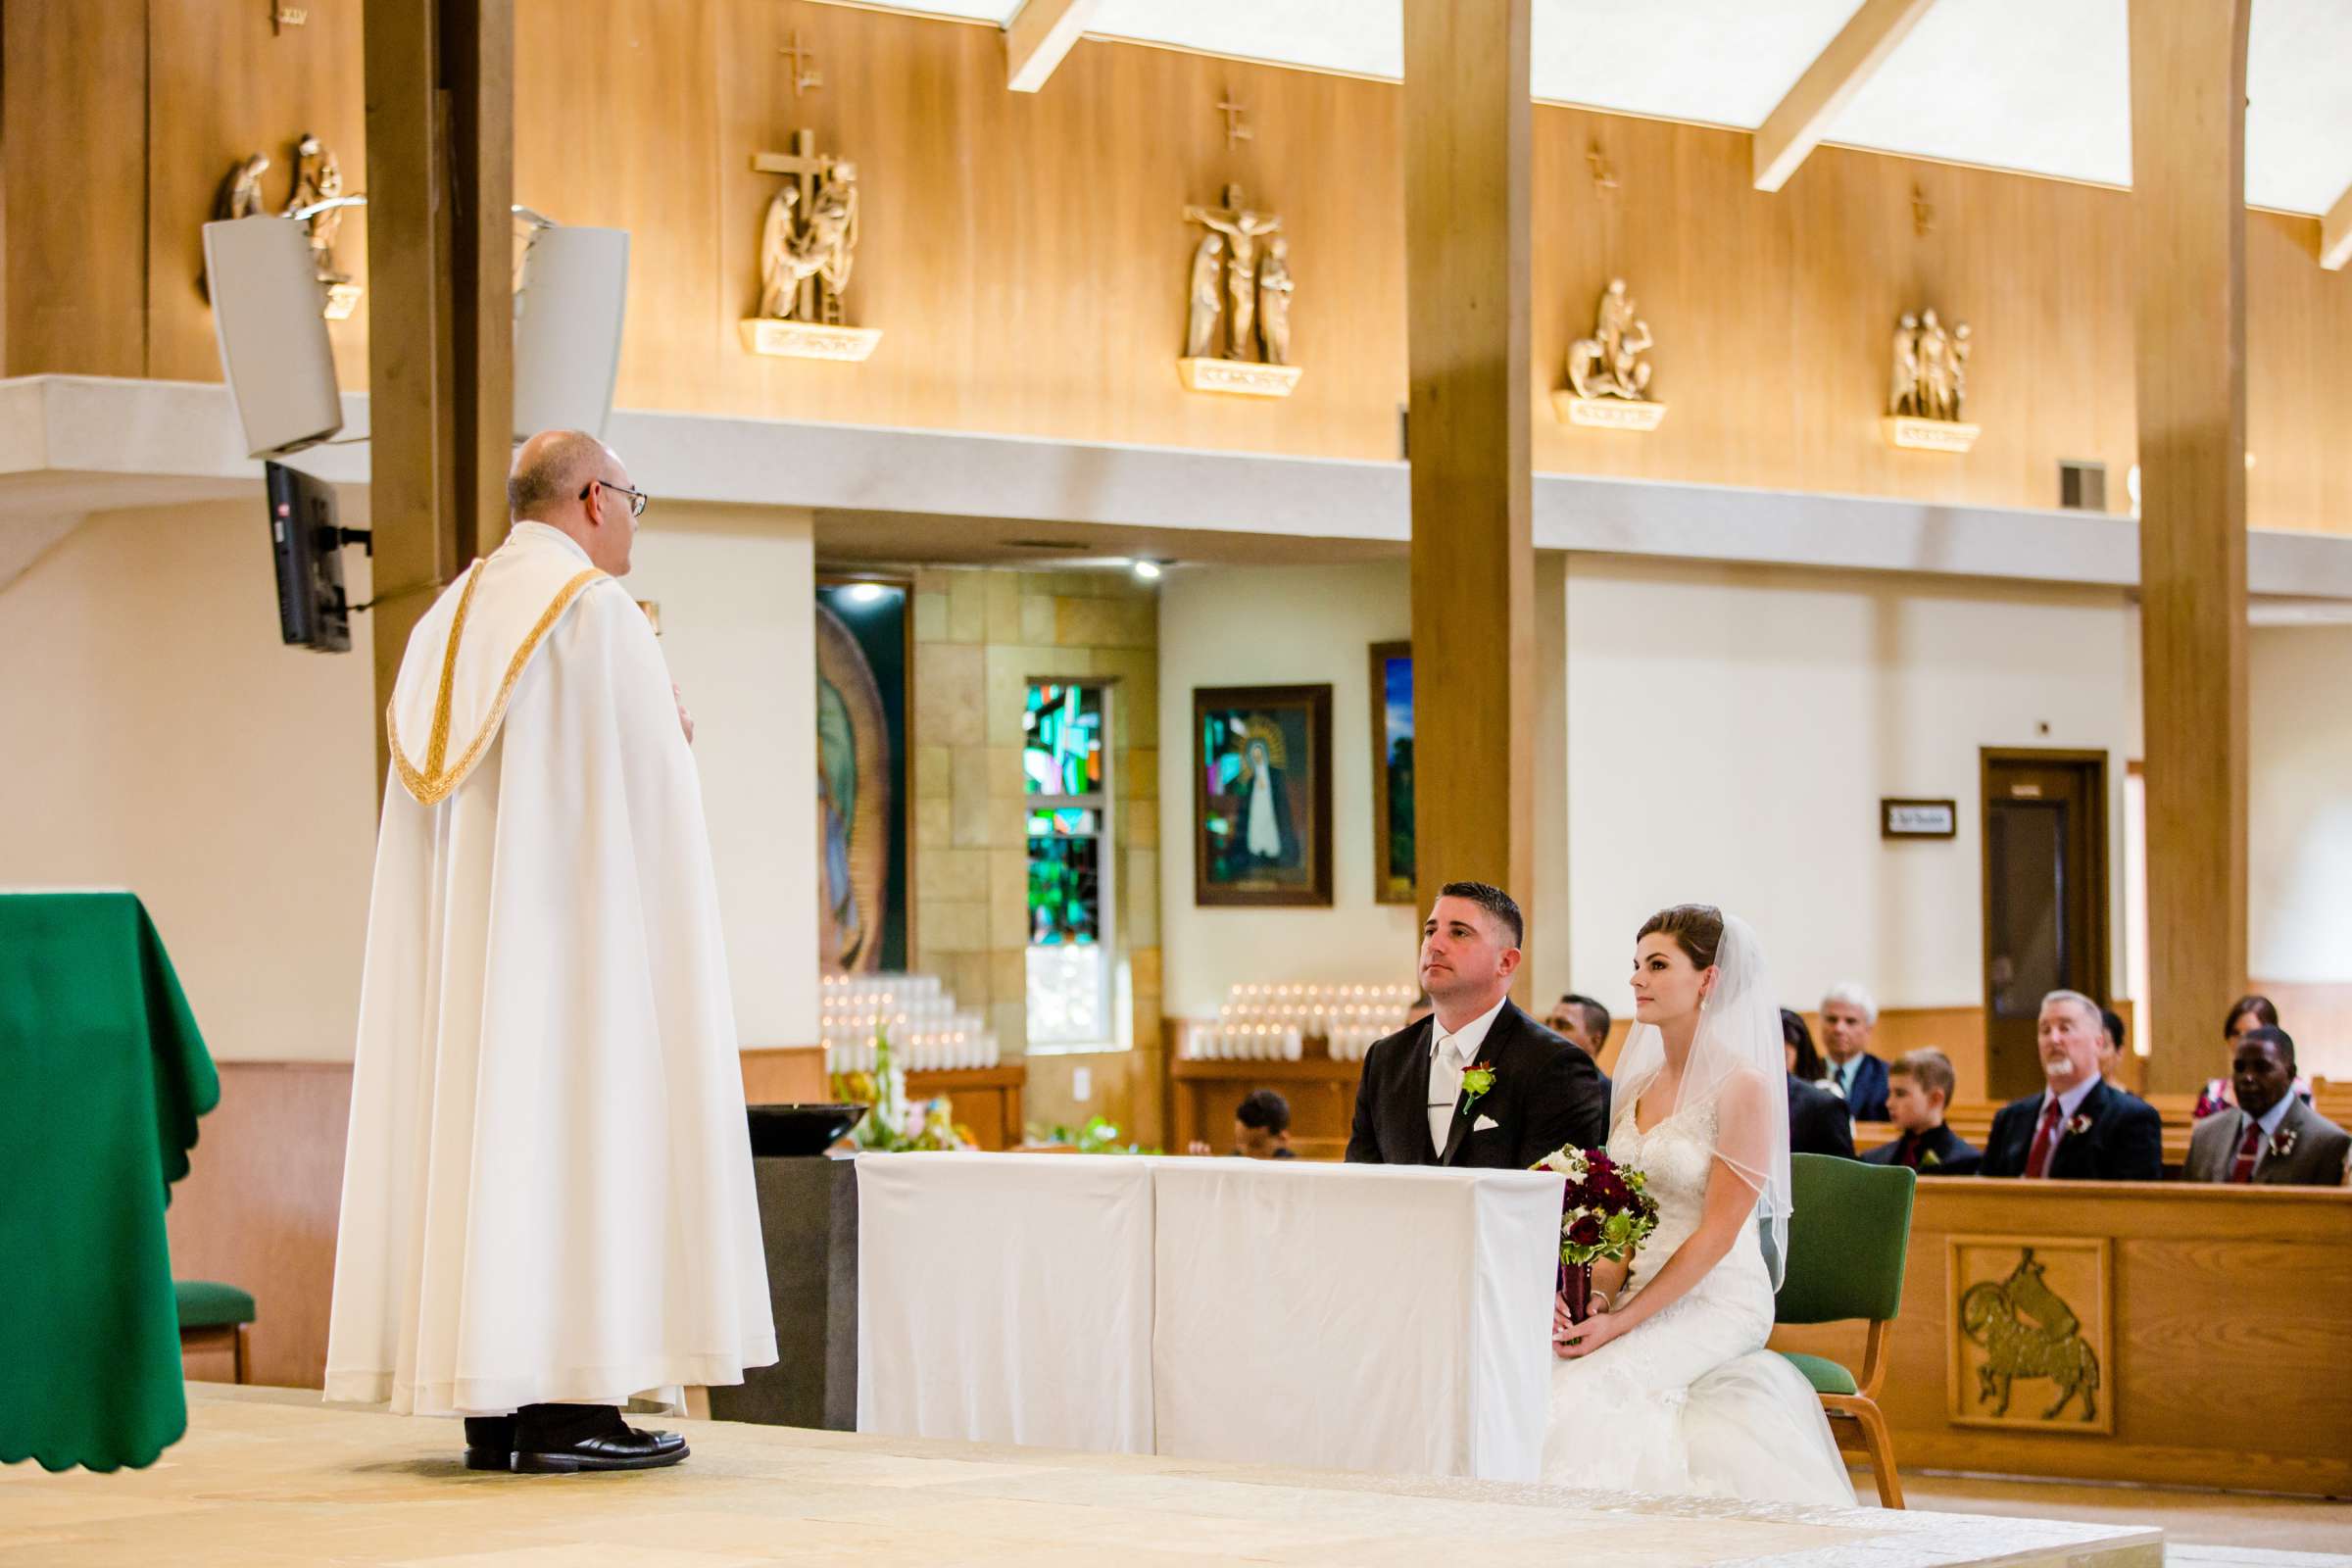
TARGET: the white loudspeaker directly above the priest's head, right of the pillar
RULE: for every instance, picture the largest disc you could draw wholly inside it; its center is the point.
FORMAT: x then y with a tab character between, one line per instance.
568	328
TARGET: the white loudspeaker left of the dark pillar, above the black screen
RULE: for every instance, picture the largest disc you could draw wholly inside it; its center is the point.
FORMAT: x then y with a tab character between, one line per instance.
274	340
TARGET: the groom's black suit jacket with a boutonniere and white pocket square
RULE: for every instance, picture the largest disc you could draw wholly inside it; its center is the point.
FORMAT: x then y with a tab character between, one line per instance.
1546	1094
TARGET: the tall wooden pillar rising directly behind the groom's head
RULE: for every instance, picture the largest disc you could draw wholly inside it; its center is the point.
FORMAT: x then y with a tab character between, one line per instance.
1466	267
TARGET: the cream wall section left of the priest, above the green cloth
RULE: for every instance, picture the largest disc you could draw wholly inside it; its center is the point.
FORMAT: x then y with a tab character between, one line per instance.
163	739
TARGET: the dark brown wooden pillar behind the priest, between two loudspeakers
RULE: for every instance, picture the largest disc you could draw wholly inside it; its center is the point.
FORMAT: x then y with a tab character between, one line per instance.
441	368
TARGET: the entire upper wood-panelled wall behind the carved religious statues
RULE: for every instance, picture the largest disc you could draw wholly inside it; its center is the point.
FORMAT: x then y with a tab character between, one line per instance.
1027	253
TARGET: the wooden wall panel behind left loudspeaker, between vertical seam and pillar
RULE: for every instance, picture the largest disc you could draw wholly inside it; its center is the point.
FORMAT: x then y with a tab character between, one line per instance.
222	86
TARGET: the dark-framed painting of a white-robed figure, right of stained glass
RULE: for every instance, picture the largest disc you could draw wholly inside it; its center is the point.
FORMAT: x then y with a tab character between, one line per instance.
1262	796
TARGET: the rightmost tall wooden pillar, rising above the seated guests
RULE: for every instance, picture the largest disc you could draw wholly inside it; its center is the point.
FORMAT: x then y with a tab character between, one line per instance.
2189	196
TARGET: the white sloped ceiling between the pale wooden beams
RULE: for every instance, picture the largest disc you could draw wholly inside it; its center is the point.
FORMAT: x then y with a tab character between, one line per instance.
2038	86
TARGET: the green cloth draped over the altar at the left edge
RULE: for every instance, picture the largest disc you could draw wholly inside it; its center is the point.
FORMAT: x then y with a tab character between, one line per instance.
102	1078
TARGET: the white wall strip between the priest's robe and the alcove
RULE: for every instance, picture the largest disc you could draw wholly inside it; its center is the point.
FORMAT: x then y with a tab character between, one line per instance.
737	591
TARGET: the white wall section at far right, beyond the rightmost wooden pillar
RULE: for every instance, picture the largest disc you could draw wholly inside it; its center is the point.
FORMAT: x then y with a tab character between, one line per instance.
2299	878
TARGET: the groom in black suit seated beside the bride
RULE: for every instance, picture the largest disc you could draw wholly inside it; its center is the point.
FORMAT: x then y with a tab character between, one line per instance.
1478	1083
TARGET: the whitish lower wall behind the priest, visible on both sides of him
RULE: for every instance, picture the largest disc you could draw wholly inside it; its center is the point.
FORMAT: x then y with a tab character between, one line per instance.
161	737
